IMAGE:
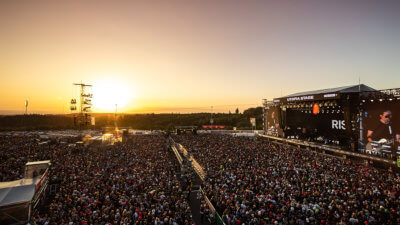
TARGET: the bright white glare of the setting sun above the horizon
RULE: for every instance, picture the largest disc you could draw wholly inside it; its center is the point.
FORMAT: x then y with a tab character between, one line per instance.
108	93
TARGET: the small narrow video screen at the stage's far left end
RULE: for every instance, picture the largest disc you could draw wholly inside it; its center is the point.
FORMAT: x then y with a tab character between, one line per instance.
273	122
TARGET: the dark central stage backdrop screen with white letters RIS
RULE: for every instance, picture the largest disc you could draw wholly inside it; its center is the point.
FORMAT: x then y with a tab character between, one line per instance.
322	125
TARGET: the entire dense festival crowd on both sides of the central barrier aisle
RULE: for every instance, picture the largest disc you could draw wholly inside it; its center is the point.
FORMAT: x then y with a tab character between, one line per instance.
248	180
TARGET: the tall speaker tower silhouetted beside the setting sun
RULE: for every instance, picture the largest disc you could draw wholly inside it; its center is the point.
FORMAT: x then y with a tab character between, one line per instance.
83	118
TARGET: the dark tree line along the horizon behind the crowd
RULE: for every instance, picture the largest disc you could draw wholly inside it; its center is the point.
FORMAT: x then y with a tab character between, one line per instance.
135	121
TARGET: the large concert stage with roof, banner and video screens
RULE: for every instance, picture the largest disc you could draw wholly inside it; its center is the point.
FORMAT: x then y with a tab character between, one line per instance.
350	117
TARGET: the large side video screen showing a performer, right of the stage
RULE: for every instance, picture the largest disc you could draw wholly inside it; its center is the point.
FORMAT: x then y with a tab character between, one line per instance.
379	128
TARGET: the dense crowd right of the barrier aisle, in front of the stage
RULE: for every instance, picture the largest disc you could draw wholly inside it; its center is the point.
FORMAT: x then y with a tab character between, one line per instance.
252	181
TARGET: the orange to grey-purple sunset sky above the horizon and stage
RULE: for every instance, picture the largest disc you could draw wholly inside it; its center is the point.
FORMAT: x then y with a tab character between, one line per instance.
186	56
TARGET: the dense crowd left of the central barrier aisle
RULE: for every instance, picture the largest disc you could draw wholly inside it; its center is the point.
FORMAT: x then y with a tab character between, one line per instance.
129	183
